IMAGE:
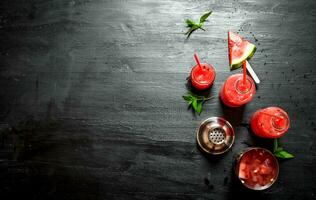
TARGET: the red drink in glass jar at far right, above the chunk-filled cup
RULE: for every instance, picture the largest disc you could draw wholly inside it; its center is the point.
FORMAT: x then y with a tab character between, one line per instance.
271	122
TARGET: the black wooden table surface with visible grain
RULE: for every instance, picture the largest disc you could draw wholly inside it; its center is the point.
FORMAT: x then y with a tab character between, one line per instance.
91	97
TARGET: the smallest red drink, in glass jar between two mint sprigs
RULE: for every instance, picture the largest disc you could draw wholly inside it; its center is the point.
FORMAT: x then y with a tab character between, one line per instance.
202	77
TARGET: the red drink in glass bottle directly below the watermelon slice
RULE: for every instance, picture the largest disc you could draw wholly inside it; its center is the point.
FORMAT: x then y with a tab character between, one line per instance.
235	93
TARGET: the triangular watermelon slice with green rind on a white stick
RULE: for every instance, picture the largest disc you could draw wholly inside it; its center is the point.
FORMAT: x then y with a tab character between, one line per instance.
238	50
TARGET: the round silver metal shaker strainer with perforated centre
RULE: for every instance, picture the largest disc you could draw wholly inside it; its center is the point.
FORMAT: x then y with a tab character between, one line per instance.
215	135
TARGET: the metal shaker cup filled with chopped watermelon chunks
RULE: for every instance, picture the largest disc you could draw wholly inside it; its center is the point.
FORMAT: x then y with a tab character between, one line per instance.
257	168
